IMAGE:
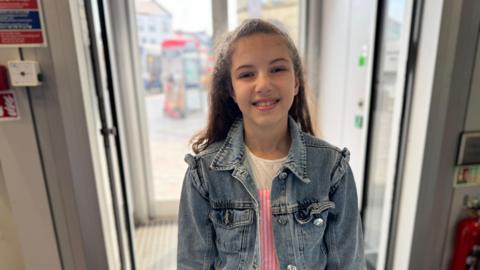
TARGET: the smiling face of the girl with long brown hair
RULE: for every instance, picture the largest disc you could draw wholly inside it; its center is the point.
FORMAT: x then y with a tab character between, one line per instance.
263	79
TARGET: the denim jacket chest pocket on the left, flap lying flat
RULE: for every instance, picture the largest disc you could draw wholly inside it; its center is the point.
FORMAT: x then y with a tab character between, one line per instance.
231	228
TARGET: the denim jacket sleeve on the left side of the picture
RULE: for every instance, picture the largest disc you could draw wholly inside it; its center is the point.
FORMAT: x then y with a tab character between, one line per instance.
196	249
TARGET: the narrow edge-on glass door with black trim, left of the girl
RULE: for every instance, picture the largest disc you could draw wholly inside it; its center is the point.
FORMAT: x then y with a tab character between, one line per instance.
118	231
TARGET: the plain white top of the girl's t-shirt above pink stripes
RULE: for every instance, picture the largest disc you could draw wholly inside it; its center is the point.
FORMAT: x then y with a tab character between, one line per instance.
263	170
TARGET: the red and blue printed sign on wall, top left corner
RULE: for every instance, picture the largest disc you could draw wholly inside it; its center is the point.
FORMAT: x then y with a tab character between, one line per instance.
21	24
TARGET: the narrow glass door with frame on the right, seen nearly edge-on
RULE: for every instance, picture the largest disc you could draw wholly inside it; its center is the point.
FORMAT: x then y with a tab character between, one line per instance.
386	116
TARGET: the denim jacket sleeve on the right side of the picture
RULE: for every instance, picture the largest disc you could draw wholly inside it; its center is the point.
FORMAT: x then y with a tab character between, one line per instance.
344	233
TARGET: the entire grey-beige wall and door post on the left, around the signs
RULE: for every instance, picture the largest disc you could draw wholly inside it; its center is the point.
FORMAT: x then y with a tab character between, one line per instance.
50	166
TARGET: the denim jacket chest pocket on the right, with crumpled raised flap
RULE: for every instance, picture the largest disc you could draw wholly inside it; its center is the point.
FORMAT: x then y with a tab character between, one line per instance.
311	221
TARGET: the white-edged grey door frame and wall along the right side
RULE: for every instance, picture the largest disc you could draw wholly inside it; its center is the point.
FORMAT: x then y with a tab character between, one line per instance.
444	66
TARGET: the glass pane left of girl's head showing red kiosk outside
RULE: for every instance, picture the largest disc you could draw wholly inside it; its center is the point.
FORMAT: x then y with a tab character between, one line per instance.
175	52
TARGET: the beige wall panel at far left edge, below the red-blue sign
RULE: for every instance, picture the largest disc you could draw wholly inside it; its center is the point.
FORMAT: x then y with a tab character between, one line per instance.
22	176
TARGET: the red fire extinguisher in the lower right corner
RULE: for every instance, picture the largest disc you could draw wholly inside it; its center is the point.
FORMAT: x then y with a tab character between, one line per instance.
467	242
